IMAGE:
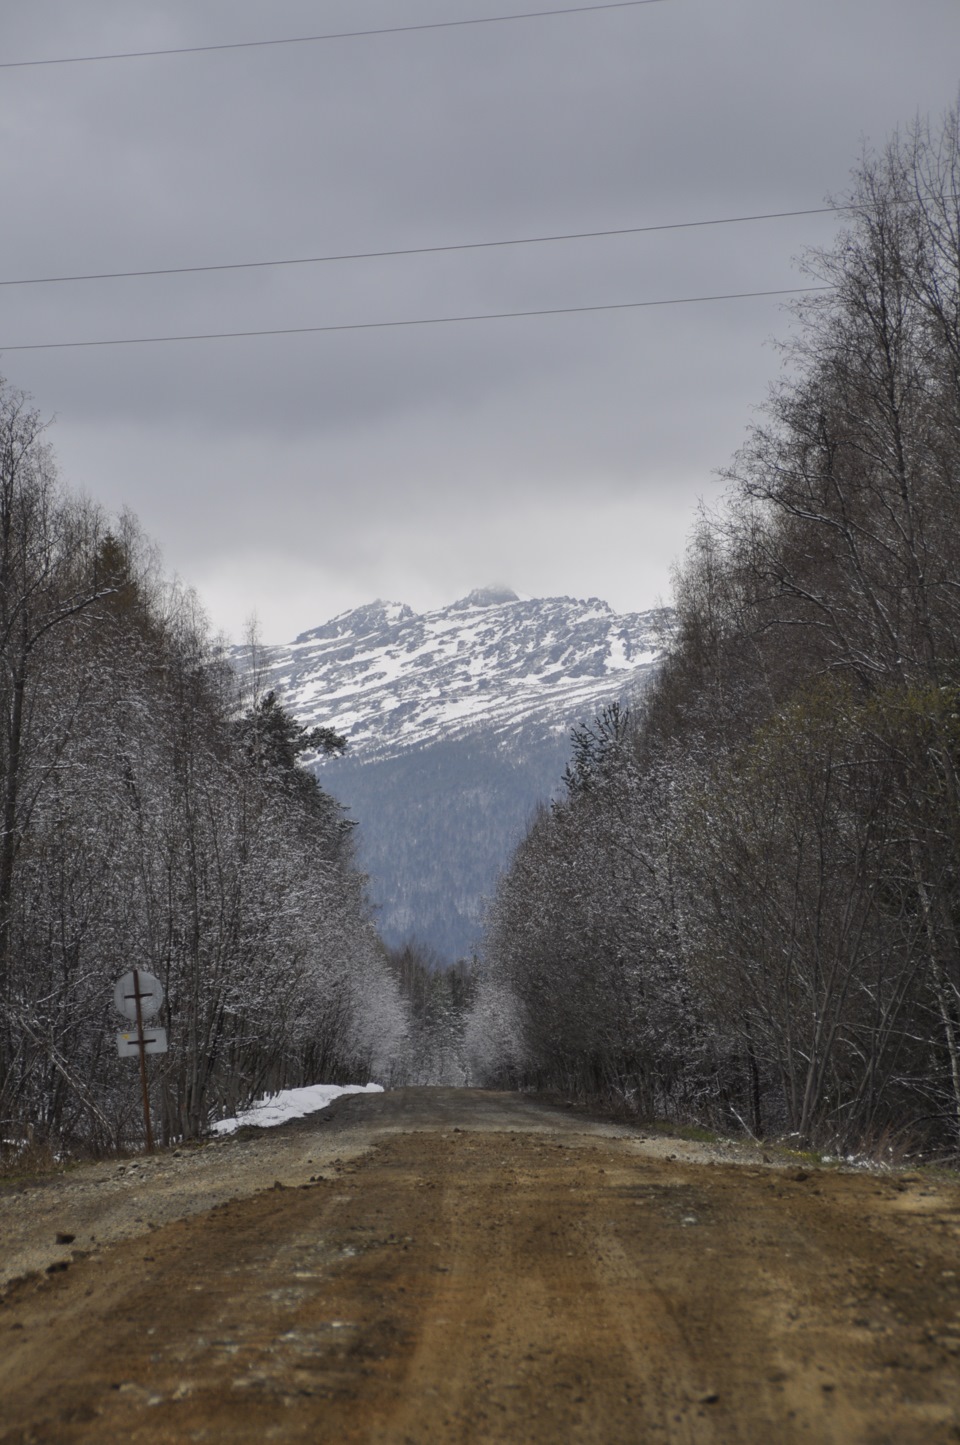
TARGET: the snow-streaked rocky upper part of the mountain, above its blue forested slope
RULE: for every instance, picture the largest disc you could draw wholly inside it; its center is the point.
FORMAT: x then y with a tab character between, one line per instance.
390	678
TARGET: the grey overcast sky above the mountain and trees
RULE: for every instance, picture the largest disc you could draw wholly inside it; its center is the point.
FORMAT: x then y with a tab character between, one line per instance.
294	478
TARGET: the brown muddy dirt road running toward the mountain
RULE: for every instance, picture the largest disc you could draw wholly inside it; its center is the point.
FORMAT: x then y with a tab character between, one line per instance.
458	1267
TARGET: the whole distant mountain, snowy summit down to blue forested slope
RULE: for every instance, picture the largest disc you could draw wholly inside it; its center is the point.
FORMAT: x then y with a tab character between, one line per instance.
459	723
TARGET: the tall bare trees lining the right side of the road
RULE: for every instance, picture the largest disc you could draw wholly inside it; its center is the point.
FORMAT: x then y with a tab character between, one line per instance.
747	908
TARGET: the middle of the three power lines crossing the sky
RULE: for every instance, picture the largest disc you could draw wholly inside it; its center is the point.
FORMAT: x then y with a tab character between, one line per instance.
426	251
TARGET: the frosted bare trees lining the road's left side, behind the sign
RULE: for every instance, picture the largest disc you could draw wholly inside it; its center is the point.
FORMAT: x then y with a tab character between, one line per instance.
153	819
